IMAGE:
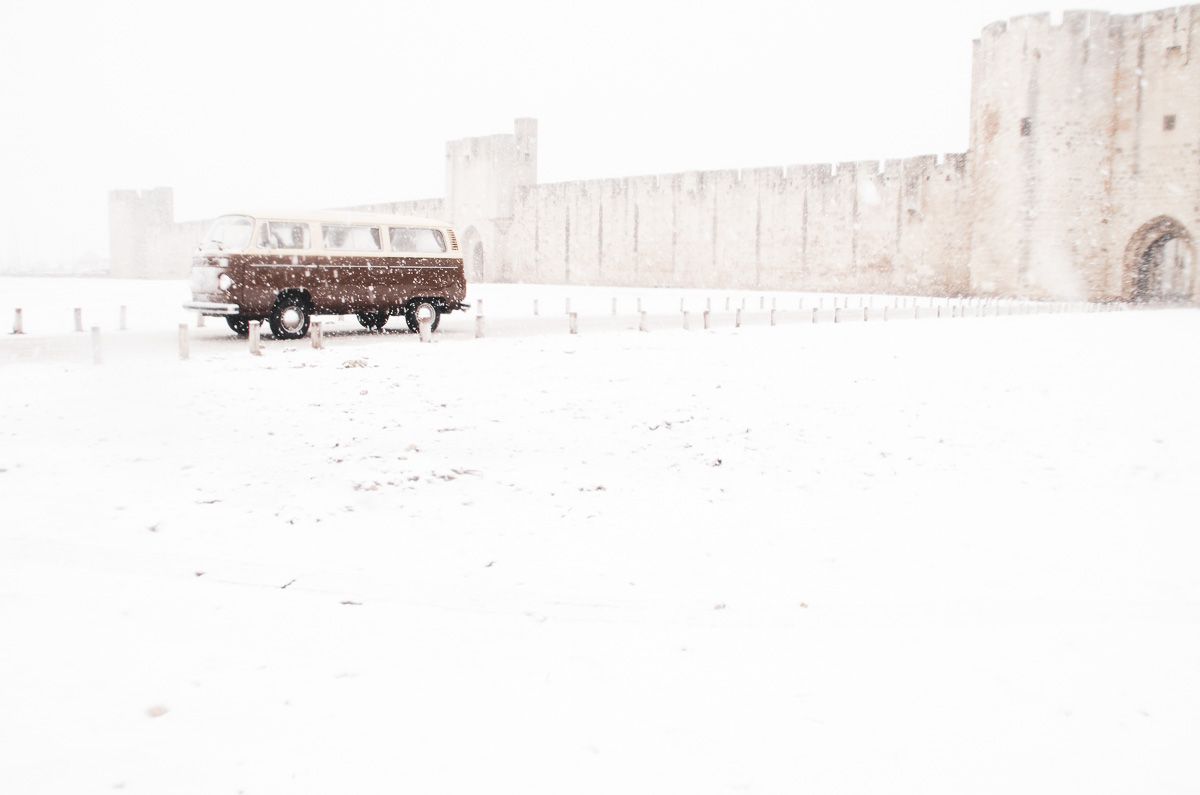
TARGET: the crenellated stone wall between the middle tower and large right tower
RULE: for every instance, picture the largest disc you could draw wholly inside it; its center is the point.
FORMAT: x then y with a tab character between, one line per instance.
899	226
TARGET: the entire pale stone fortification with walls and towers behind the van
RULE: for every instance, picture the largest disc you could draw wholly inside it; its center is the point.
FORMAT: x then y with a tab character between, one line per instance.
1082	181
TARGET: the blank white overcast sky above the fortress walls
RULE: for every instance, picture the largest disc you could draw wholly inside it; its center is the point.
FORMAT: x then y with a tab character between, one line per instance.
248	103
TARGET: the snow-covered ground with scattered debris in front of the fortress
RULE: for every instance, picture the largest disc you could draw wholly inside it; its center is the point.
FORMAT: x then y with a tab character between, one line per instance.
949	557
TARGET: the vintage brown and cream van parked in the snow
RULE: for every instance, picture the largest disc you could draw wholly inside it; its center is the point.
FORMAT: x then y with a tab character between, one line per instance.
285	268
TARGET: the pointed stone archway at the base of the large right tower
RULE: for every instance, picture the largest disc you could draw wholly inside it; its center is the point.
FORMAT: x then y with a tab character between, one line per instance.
1160	264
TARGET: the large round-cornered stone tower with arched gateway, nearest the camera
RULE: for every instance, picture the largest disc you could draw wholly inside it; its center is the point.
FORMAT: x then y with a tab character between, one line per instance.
1084	156
